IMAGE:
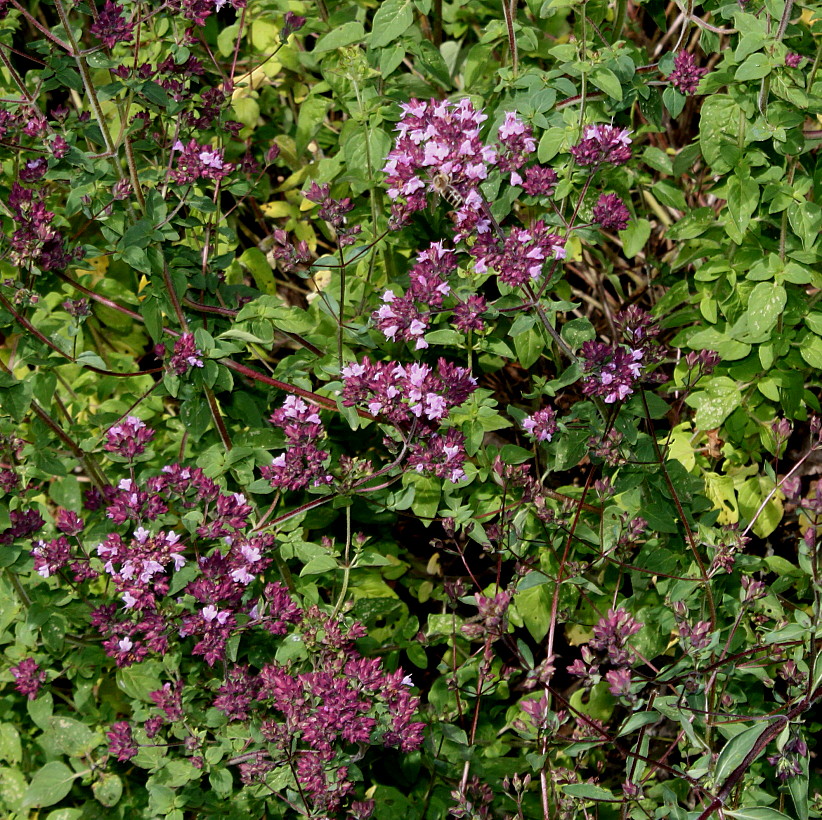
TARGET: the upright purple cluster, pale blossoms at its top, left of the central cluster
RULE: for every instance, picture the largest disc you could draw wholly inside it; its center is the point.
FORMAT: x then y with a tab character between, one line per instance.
302	462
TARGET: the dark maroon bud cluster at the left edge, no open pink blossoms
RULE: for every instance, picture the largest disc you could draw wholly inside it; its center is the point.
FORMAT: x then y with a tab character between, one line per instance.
35	241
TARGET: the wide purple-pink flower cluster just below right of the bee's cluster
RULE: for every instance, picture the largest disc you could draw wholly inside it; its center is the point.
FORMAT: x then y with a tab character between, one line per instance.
518	258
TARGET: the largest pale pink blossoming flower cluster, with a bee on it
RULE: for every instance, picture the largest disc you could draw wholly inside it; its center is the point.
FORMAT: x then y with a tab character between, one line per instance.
438	150
